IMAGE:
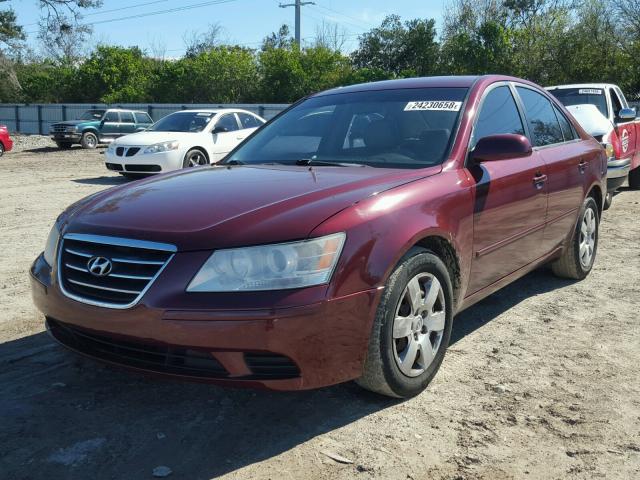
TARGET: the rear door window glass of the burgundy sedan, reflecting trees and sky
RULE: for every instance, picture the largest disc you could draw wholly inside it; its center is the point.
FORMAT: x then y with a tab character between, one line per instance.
543	123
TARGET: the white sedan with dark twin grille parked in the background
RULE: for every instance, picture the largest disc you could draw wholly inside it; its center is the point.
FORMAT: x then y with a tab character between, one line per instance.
189	138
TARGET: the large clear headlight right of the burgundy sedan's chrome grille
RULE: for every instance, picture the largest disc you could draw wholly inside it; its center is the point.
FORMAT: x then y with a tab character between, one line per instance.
270	267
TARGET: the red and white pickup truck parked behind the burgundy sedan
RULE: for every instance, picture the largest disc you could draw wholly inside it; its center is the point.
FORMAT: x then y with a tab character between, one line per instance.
620	138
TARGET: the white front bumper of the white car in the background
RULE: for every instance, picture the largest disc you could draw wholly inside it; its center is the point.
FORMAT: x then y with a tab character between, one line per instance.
141	163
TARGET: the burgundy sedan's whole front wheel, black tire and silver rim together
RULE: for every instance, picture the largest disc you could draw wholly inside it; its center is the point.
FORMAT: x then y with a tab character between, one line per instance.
412	328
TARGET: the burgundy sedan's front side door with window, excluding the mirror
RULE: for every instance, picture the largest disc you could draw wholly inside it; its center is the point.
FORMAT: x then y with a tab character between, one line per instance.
510	203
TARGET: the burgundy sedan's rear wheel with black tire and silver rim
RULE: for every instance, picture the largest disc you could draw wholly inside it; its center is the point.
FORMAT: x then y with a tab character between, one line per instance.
580	252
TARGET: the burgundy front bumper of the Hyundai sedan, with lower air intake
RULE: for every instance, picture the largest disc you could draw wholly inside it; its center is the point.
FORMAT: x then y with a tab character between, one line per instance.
298	347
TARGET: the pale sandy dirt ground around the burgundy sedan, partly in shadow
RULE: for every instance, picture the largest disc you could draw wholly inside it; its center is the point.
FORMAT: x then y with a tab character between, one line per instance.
541	381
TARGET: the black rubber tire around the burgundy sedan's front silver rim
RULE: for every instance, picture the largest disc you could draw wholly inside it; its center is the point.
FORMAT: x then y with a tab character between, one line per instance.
382	373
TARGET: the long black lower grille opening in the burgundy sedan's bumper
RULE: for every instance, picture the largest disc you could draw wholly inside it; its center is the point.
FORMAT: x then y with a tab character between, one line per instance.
133	353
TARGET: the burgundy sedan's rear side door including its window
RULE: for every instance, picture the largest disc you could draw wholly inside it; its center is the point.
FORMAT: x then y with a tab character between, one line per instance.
566	157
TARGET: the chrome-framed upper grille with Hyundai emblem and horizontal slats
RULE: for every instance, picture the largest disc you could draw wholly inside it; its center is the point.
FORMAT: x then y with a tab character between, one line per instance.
134	265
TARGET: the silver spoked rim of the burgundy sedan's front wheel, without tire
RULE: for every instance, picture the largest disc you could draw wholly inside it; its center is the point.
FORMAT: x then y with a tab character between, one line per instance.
419	324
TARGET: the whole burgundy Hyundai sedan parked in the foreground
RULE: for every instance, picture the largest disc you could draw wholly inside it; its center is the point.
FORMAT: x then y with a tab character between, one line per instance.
337	243
